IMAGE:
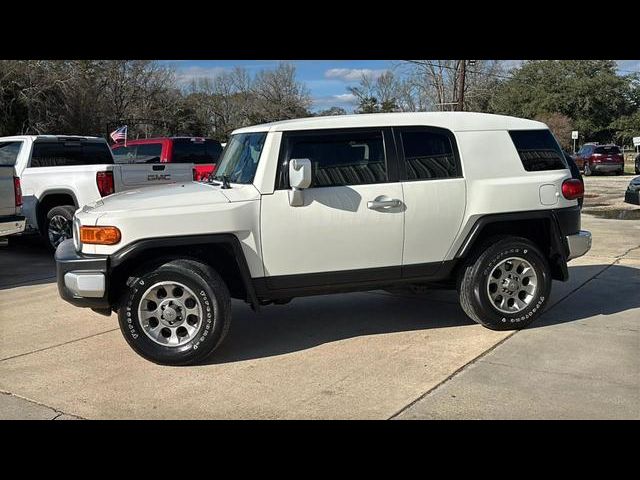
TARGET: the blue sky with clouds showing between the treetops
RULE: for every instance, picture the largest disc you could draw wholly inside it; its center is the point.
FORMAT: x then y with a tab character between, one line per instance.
326	79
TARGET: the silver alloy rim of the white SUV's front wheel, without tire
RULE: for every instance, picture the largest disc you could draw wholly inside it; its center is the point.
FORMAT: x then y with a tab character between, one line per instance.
170	314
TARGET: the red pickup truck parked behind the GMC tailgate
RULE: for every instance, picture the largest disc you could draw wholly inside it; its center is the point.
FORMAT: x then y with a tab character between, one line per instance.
202	152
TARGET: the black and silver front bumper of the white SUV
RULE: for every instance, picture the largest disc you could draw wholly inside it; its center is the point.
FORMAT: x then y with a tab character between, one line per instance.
82	279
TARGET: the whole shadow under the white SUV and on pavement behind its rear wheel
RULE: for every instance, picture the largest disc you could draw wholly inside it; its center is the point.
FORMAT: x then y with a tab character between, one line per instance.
306	323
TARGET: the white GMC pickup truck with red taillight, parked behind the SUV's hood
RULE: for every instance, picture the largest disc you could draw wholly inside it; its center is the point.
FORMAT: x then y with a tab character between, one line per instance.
60	174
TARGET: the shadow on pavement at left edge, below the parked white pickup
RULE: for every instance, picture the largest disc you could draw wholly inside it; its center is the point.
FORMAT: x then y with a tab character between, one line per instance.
26	261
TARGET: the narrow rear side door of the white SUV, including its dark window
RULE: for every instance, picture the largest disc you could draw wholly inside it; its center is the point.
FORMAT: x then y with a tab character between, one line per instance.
434	194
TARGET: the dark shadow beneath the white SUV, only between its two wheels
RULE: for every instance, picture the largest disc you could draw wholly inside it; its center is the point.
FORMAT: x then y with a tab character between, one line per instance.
309	322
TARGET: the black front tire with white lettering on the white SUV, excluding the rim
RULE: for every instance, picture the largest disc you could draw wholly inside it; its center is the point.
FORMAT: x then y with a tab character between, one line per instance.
212	293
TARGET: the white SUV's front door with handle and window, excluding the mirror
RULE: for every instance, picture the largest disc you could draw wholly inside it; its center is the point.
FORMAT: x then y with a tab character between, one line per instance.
351	219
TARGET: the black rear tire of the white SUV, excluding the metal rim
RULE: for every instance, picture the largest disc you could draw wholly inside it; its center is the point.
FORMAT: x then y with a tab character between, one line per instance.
475	299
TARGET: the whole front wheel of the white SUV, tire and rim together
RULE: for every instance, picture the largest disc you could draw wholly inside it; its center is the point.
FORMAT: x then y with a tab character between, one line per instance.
176	313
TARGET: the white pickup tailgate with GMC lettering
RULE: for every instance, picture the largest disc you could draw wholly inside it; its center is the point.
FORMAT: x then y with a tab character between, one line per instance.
130	176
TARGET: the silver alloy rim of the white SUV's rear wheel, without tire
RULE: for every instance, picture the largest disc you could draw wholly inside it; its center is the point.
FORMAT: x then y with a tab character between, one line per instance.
512	285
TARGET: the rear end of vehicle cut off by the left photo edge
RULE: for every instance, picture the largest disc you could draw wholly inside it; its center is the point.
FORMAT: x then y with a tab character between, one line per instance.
11	218
